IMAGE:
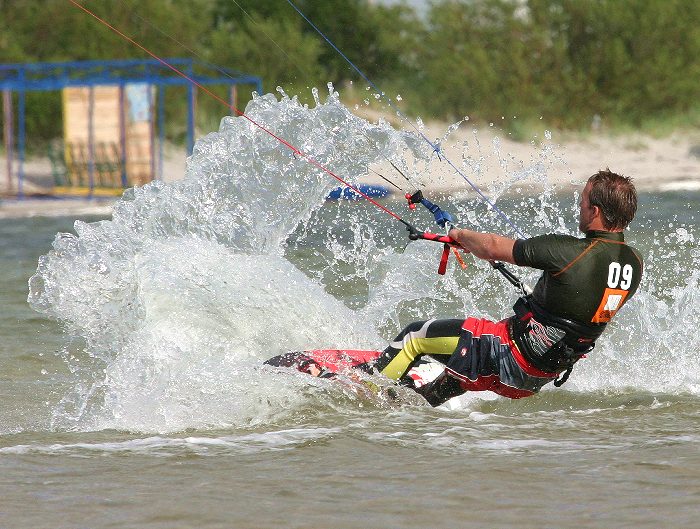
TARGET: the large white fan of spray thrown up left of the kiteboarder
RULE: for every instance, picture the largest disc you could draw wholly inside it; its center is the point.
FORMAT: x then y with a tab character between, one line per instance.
187	286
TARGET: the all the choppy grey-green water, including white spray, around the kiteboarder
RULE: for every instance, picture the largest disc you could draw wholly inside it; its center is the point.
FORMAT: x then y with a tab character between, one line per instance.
132	392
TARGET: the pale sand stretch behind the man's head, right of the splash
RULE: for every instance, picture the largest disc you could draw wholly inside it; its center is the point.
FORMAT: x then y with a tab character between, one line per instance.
488	157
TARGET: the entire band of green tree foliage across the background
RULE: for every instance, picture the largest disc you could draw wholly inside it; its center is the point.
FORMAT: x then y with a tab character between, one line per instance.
566	60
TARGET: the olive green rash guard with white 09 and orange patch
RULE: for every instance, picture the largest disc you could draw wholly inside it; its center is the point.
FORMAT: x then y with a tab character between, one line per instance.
584	279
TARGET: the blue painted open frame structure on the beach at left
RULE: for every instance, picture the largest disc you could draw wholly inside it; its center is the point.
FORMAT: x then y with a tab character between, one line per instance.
22	78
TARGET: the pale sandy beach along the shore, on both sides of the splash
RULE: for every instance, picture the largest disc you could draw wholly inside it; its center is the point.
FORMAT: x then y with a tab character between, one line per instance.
486	156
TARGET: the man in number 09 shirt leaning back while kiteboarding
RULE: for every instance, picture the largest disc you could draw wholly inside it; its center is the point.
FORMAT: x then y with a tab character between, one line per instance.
584	283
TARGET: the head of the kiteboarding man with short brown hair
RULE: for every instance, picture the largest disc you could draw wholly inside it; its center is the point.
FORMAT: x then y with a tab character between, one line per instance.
608	202
